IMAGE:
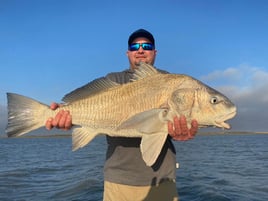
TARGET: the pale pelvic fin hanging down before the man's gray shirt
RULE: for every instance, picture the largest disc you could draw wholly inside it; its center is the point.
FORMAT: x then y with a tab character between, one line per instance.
151	146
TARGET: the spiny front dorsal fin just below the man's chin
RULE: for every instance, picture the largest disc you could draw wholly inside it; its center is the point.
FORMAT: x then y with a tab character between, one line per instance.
144	70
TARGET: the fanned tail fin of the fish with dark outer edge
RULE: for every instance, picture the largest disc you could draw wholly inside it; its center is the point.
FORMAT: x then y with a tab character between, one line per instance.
24	115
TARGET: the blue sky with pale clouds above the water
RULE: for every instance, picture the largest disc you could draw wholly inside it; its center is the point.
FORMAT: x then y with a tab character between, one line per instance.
48	48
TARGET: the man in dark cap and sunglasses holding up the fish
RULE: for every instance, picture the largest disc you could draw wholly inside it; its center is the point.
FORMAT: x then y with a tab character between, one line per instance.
126	175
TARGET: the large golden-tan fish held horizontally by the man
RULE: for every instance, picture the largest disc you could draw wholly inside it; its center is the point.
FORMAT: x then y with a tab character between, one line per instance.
140	108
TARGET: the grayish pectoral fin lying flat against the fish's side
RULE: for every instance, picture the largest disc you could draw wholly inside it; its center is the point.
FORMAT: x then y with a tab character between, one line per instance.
151	121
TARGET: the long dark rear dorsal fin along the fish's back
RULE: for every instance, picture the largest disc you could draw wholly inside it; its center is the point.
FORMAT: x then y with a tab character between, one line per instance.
94	87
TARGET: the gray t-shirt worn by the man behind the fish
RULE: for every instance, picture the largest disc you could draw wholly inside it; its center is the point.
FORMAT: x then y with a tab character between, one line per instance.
124	163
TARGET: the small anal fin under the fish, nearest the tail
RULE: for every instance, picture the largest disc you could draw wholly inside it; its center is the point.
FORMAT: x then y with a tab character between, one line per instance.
82	136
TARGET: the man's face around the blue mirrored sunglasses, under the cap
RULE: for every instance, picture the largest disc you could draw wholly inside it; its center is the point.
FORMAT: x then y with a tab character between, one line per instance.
135	57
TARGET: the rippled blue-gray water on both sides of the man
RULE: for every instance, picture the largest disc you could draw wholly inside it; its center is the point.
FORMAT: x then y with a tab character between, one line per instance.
218	168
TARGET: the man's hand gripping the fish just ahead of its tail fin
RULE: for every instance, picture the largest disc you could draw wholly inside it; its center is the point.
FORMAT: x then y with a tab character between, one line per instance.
62	120
